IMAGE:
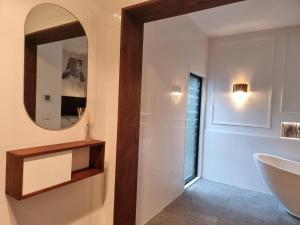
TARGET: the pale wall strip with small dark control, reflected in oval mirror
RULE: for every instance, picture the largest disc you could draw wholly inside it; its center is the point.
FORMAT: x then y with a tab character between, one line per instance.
49	82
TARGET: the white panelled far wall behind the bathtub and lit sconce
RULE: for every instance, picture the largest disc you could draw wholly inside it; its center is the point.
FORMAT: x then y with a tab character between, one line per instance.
269	63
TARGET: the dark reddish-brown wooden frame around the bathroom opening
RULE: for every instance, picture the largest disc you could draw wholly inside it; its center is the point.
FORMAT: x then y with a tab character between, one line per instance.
130	85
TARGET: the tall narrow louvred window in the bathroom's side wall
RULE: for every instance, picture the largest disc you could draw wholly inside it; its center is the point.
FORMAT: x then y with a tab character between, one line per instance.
192	128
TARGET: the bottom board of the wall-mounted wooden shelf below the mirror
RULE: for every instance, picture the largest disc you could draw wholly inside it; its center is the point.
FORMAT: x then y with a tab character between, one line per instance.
76	176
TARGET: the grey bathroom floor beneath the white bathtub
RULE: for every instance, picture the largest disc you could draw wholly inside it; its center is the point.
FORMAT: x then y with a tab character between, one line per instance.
210	203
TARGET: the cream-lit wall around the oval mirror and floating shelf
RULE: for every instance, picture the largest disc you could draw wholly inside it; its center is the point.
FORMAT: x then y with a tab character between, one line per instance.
82	203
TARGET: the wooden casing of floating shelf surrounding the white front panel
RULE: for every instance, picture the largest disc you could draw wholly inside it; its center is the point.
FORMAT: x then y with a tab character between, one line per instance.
16	158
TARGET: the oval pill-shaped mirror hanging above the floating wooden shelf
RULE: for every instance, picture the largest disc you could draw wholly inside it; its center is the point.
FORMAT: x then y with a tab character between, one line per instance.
55	72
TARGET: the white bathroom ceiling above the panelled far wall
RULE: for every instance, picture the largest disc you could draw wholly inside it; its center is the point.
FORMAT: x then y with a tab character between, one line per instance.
247	16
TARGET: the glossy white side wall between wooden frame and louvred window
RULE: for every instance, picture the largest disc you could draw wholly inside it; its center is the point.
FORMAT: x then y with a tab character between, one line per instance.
169	57
